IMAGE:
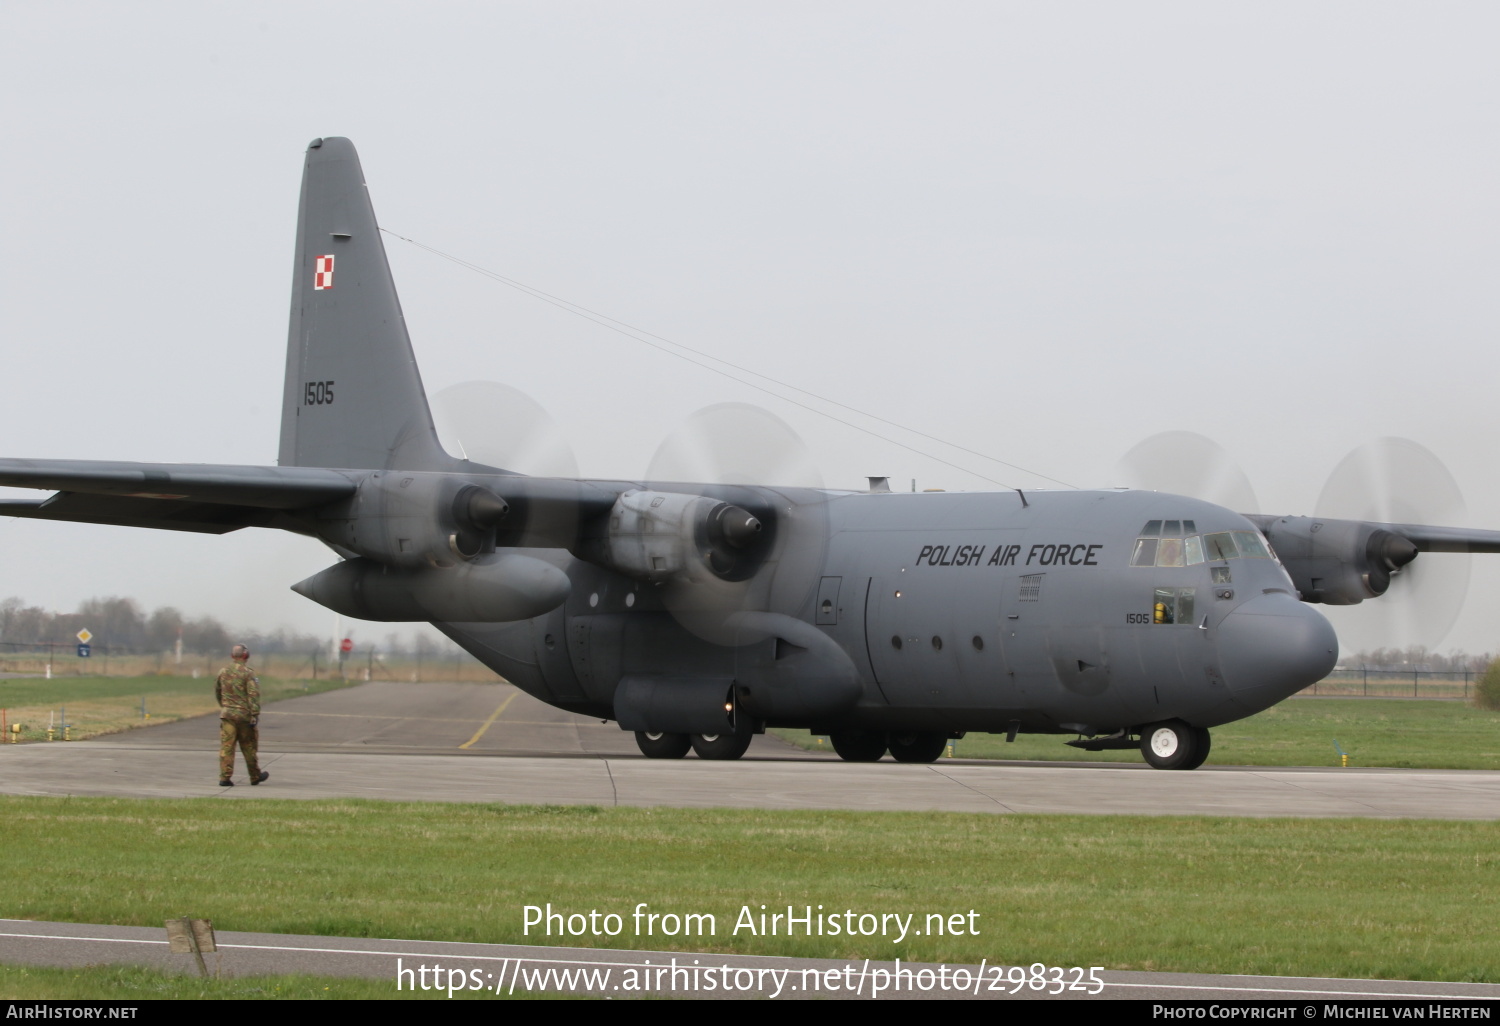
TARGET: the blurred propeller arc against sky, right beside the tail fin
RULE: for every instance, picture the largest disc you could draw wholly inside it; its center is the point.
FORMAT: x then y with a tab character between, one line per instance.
491	424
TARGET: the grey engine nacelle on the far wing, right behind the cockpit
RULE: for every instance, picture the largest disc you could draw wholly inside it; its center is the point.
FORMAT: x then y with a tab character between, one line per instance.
1339	563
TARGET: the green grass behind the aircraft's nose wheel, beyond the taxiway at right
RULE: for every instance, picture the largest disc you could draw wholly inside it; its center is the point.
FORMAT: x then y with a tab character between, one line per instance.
1300	733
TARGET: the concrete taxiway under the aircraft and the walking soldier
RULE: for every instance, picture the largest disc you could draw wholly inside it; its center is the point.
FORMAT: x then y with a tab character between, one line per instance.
493	743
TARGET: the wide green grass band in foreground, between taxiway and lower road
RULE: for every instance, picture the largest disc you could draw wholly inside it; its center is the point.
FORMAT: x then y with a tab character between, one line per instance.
1348	898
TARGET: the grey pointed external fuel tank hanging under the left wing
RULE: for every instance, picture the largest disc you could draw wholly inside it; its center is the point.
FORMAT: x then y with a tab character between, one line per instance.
490	589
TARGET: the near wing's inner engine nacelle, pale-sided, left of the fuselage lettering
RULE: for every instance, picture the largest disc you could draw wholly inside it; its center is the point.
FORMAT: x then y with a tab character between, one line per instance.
659	536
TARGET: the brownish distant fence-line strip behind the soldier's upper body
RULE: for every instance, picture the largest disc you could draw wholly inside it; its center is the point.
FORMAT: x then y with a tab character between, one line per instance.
62	659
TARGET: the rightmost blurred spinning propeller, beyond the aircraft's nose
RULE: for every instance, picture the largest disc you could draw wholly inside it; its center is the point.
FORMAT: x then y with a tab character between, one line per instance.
1396	481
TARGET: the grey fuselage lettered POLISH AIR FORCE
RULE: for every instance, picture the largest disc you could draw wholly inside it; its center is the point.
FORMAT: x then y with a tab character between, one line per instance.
965	613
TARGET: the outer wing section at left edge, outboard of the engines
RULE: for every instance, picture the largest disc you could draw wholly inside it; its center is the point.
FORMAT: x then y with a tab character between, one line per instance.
175	497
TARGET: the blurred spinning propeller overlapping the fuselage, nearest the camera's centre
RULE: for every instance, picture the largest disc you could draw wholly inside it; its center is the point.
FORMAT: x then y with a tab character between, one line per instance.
761	461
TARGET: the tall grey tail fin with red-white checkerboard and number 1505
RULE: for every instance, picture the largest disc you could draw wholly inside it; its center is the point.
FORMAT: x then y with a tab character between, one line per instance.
353	397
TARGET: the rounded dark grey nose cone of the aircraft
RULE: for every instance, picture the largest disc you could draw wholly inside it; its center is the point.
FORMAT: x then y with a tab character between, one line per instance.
1273	647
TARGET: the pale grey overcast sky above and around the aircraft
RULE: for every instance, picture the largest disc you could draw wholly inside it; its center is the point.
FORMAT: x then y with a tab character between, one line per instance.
1042	232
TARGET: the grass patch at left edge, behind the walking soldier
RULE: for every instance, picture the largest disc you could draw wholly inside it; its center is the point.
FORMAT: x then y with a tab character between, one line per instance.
109	704
